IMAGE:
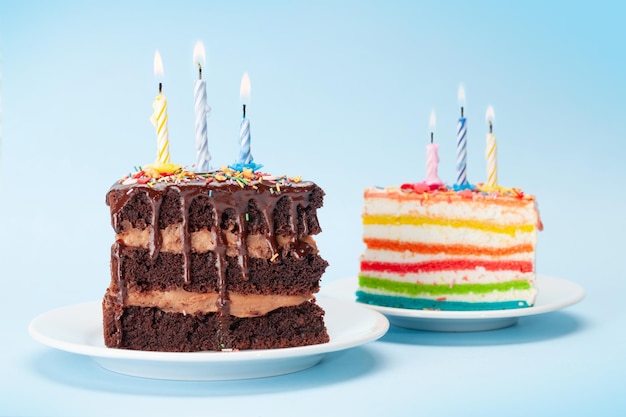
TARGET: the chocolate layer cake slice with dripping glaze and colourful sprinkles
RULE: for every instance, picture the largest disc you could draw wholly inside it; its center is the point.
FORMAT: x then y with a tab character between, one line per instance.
224	260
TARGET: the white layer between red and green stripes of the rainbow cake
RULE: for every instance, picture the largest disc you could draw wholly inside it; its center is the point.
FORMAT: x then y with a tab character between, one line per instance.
465	276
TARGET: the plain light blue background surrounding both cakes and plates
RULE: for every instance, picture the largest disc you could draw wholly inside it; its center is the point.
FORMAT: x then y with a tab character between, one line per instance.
341	94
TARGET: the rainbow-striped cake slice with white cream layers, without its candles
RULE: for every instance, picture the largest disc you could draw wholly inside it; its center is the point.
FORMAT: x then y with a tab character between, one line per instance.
434	247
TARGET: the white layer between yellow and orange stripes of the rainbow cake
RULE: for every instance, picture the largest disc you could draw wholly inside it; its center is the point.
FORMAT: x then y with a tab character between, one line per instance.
441	235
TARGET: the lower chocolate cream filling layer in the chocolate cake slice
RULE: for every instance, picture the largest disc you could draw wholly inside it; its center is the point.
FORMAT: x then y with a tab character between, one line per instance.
181	301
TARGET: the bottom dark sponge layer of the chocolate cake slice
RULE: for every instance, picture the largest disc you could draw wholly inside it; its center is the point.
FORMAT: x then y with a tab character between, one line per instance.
149	328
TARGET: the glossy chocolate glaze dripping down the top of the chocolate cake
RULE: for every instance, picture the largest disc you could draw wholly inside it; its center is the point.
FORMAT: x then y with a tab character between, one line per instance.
232	209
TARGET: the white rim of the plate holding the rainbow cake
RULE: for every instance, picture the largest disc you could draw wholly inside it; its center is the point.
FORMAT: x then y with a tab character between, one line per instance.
575	295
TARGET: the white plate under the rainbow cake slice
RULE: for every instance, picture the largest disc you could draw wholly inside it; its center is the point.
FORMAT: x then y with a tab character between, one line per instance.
553	294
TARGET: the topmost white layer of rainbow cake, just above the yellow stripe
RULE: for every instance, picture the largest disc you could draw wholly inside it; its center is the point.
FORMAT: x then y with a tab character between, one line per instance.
521	213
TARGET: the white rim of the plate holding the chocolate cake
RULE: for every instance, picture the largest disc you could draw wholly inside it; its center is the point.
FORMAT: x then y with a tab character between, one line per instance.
377	326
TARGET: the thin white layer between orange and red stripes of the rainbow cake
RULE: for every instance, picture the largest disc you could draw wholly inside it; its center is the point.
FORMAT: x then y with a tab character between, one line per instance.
382	255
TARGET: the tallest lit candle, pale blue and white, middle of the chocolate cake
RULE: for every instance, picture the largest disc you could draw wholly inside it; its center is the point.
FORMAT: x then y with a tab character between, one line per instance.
202	111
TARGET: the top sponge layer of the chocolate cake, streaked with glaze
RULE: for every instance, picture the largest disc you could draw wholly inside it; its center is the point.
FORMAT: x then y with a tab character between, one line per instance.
206	204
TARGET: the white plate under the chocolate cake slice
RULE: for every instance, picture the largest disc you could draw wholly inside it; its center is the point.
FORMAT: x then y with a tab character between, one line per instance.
78	329
